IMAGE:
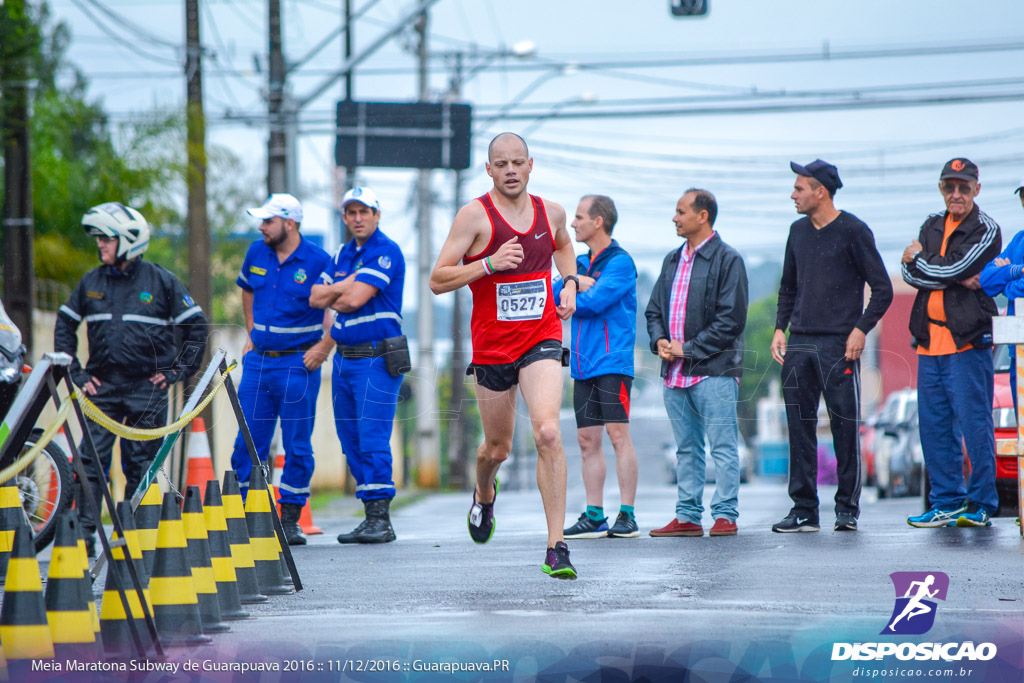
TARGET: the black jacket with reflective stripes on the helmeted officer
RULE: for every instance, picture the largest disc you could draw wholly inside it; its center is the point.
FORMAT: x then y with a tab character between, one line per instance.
140	322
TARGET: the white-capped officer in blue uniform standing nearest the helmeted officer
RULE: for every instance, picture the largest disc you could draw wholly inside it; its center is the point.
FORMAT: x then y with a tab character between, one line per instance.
288	343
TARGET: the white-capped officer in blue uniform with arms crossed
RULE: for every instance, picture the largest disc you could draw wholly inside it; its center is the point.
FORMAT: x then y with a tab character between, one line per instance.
364	284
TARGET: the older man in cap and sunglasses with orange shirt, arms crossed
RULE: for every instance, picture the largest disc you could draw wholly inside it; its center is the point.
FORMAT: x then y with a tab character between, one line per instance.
952	324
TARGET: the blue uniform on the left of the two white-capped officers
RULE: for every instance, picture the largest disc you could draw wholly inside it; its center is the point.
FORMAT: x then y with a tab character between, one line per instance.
275	381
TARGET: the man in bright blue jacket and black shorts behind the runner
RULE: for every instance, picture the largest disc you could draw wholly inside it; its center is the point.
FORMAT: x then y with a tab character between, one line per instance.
602	363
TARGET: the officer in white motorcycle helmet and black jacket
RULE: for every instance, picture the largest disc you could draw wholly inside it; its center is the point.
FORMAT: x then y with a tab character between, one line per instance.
132	309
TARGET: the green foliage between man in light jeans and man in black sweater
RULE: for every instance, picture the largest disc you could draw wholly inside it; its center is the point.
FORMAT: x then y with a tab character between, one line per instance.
758	364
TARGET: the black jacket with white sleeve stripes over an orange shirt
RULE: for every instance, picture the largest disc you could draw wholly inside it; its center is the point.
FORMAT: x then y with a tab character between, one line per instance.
969	313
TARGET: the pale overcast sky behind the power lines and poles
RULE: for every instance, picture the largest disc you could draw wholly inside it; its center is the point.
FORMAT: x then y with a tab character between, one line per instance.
889	158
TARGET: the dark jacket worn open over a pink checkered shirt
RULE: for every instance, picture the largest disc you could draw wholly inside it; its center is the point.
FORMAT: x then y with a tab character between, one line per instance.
716	311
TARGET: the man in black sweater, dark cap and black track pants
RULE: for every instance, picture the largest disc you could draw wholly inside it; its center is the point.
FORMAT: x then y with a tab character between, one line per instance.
830	257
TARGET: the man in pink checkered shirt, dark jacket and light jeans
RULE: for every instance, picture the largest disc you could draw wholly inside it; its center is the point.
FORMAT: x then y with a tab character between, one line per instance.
696	319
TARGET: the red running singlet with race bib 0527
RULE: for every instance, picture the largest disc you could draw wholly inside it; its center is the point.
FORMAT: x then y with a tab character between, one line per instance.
514	310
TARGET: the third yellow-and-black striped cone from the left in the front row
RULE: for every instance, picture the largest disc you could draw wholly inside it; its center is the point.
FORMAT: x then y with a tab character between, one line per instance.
117	639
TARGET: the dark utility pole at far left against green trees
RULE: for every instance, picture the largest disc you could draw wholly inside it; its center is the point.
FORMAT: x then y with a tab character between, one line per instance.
19	278
